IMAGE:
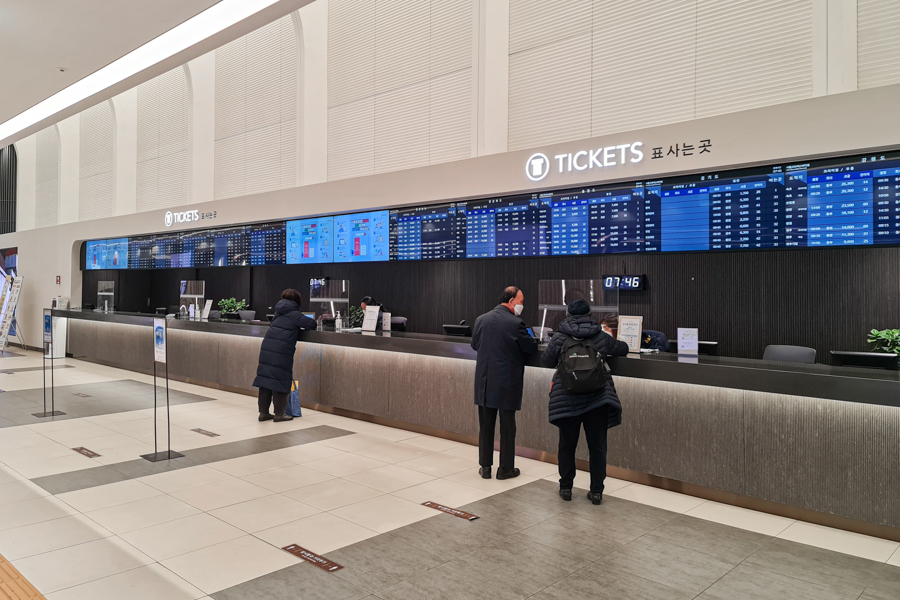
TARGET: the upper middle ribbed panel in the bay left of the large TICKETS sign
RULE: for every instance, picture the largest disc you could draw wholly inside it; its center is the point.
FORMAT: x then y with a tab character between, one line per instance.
402	36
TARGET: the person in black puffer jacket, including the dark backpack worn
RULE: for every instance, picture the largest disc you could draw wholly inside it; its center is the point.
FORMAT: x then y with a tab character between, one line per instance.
582	394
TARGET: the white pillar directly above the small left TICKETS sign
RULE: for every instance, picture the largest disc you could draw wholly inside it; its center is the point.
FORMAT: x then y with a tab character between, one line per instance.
201	74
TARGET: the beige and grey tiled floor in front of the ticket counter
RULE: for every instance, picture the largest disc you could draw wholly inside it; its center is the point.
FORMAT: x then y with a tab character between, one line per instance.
212	524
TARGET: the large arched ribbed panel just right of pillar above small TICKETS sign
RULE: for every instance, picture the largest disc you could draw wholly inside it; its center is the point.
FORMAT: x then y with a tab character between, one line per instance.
256	111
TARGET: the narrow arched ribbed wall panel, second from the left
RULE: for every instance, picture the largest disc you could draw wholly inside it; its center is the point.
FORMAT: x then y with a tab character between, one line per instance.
95	185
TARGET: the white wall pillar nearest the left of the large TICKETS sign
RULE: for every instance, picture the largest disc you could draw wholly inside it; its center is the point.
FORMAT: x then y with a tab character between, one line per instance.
492	77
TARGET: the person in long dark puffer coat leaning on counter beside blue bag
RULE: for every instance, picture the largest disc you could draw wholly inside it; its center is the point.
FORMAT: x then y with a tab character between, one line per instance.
276	356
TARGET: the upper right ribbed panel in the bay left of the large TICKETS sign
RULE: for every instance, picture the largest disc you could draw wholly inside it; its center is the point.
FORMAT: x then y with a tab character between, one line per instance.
451	36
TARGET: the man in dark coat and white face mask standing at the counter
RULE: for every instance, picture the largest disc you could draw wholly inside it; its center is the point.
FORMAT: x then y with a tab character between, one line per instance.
502	342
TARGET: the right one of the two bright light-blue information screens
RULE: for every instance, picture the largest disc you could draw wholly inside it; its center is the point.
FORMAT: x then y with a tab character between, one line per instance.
362	237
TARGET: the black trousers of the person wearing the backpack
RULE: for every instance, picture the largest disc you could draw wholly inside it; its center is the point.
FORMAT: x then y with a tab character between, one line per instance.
595	429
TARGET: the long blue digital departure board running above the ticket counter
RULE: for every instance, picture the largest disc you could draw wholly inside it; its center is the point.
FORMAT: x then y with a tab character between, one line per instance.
845	201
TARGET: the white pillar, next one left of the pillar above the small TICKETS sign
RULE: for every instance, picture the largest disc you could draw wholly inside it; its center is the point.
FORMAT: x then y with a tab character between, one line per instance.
125	153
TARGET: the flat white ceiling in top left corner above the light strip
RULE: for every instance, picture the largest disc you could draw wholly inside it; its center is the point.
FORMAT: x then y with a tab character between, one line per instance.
39	36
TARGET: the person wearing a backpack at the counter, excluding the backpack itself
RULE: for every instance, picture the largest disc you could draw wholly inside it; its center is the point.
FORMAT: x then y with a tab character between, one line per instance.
597	411
